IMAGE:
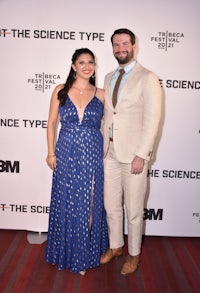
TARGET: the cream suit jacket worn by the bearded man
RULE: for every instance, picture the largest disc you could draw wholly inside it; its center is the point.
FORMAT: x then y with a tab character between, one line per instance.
136	117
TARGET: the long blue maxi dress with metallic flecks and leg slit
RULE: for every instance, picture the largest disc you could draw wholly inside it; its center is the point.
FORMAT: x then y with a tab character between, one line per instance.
77	191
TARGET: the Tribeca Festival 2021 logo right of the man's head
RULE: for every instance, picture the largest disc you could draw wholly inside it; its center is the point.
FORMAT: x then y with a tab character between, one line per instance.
167	40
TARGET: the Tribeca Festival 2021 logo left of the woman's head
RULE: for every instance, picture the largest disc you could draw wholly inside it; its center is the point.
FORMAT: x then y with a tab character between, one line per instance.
43	81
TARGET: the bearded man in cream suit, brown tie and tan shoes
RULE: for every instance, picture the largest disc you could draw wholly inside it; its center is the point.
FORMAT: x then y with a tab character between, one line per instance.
130	128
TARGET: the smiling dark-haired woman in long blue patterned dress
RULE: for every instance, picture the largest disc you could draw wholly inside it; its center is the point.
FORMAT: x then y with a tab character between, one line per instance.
77	233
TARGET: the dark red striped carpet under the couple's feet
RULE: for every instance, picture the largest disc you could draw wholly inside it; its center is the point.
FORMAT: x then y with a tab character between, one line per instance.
168	264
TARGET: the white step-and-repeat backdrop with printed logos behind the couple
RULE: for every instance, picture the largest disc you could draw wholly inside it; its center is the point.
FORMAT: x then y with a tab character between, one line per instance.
37	40
